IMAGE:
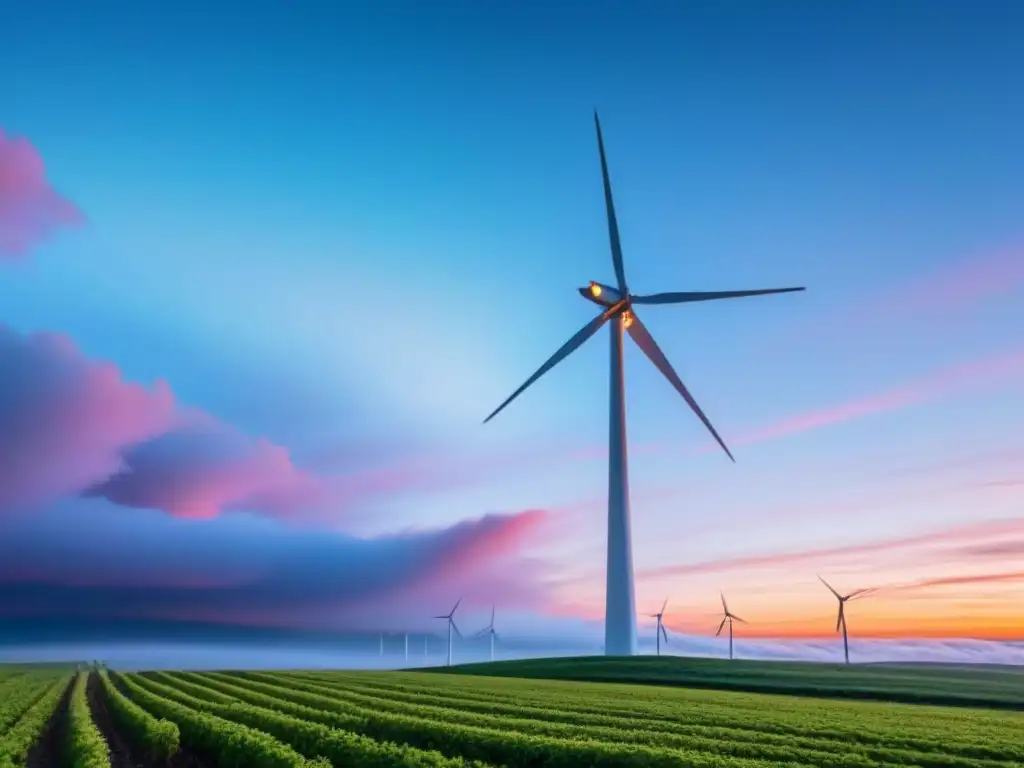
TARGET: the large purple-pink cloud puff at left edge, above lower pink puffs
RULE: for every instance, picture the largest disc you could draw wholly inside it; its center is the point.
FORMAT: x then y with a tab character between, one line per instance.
65	419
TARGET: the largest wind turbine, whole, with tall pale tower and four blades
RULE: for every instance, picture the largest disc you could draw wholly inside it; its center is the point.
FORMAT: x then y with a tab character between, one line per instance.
617	309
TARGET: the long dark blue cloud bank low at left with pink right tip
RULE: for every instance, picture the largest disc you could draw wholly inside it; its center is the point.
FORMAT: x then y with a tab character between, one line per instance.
69	565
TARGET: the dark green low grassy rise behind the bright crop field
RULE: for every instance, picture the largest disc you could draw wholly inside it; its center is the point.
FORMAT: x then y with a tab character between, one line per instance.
993	688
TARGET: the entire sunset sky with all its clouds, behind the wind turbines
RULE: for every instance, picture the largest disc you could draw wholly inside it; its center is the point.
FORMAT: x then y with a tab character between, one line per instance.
265	271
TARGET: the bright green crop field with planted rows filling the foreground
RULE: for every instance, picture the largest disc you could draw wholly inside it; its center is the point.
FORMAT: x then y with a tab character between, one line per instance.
95	719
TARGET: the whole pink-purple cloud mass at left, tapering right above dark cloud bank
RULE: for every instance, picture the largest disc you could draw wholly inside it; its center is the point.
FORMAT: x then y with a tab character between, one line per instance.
70	424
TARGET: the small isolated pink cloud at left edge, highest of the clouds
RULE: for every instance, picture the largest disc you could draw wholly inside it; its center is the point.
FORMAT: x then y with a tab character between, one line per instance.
30	209
